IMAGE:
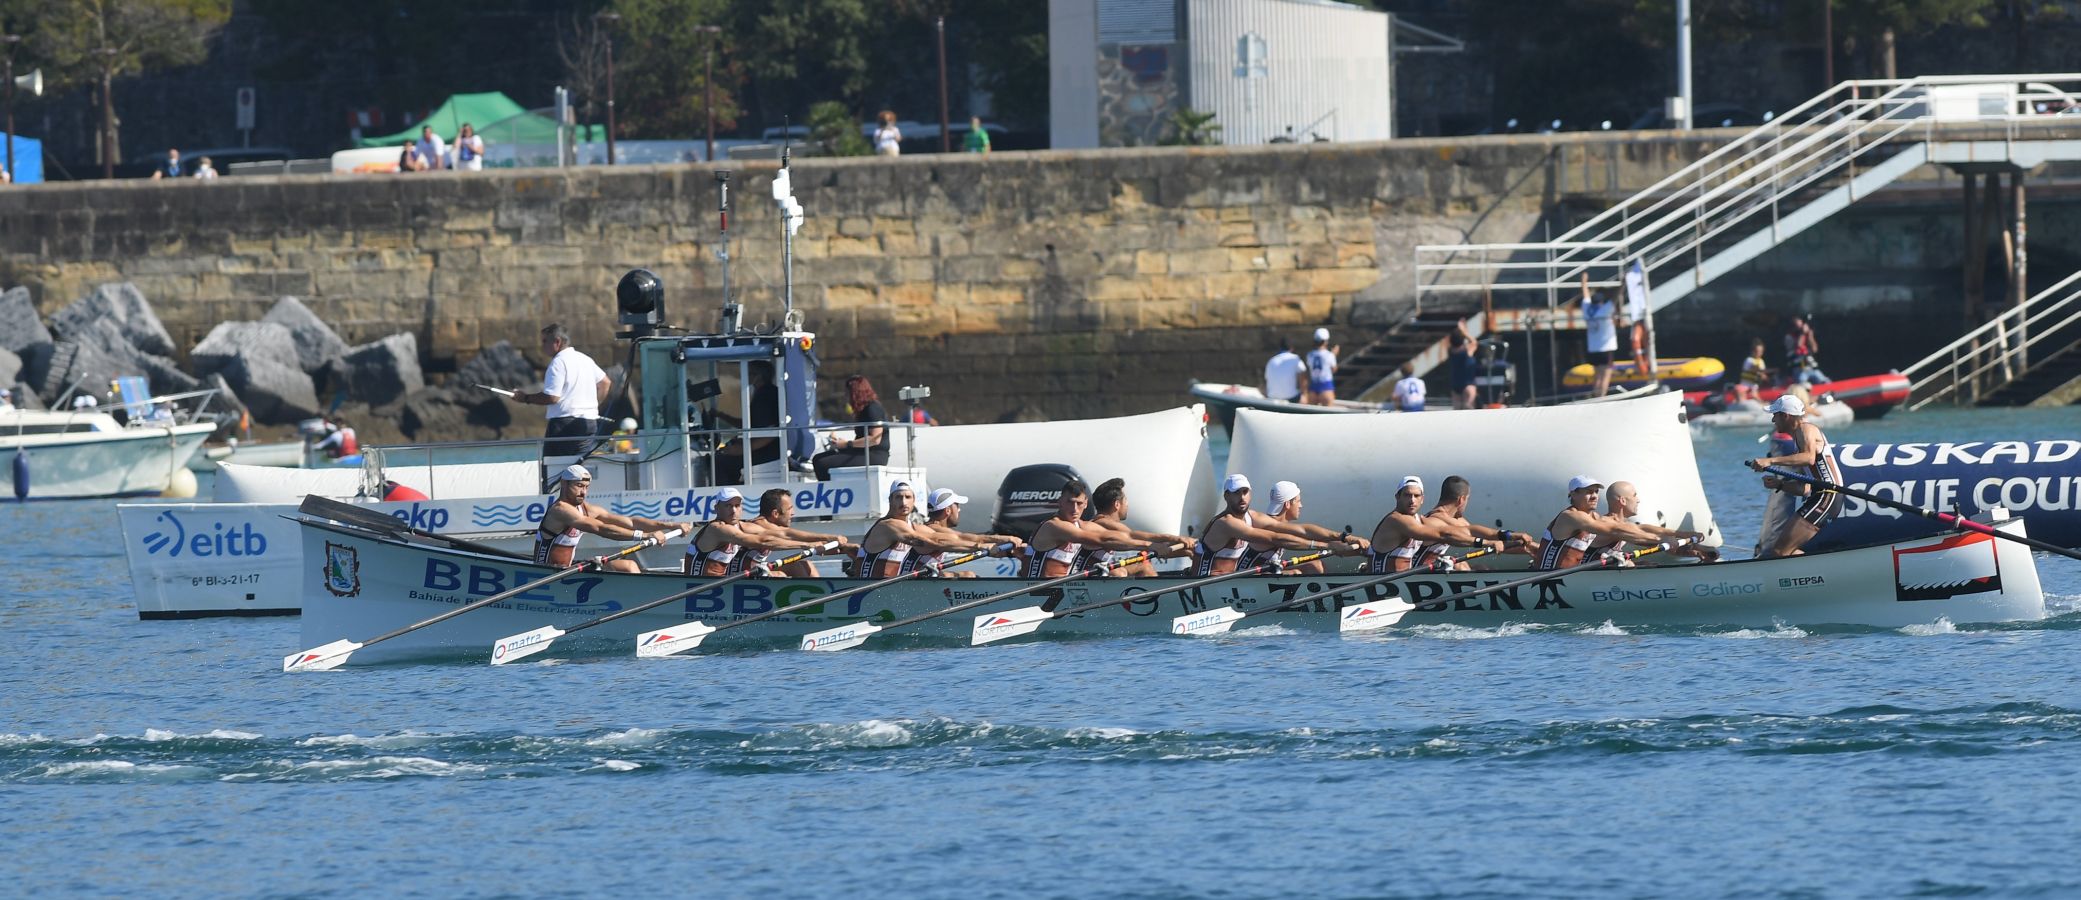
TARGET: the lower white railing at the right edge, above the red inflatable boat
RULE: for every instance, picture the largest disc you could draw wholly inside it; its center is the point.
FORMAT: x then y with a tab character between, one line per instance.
1999	351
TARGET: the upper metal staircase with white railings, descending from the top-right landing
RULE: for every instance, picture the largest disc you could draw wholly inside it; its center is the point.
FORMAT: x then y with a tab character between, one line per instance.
1757	193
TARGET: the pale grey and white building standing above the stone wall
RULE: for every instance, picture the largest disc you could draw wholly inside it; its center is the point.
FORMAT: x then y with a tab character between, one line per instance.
1268	70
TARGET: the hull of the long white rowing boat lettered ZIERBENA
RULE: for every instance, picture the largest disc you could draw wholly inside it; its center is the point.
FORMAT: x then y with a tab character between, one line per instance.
359	584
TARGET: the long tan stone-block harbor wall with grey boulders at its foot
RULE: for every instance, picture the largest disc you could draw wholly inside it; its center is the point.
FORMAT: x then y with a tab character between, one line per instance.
1031	284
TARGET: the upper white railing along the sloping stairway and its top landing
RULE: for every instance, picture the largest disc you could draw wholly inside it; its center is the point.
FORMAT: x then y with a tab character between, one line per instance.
1822	143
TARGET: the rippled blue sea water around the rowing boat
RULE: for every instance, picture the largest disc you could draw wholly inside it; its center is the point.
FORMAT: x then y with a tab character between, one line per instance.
176	759
